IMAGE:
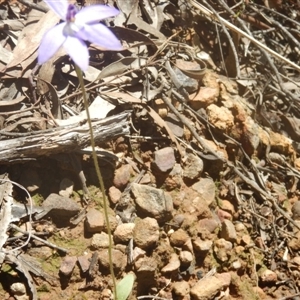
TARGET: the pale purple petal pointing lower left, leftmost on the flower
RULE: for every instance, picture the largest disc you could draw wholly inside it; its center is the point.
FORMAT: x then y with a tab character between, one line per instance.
51	42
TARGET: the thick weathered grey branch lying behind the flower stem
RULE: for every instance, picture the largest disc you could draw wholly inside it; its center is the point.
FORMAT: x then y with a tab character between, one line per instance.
61	139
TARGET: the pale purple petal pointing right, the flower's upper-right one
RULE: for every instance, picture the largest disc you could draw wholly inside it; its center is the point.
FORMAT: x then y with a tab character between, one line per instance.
93	13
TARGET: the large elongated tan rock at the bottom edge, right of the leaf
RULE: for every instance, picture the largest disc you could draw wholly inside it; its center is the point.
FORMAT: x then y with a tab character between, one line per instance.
208	287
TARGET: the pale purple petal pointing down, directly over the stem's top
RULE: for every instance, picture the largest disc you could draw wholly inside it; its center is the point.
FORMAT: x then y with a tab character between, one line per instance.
78	51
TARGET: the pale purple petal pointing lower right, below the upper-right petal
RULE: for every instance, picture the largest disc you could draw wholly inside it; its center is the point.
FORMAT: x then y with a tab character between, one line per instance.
101	36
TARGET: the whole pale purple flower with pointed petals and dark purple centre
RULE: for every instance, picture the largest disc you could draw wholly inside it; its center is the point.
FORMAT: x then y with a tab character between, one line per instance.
78	27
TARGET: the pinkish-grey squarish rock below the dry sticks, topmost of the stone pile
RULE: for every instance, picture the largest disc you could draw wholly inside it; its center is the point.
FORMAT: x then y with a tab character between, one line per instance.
164	159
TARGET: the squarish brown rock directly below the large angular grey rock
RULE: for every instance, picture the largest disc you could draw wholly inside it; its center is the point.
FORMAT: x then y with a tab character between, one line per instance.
146	233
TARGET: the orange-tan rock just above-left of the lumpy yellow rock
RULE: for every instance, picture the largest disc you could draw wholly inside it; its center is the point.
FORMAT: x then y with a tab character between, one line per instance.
203	98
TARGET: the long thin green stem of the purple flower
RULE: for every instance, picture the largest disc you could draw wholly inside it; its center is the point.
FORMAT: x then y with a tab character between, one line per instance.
95	159
